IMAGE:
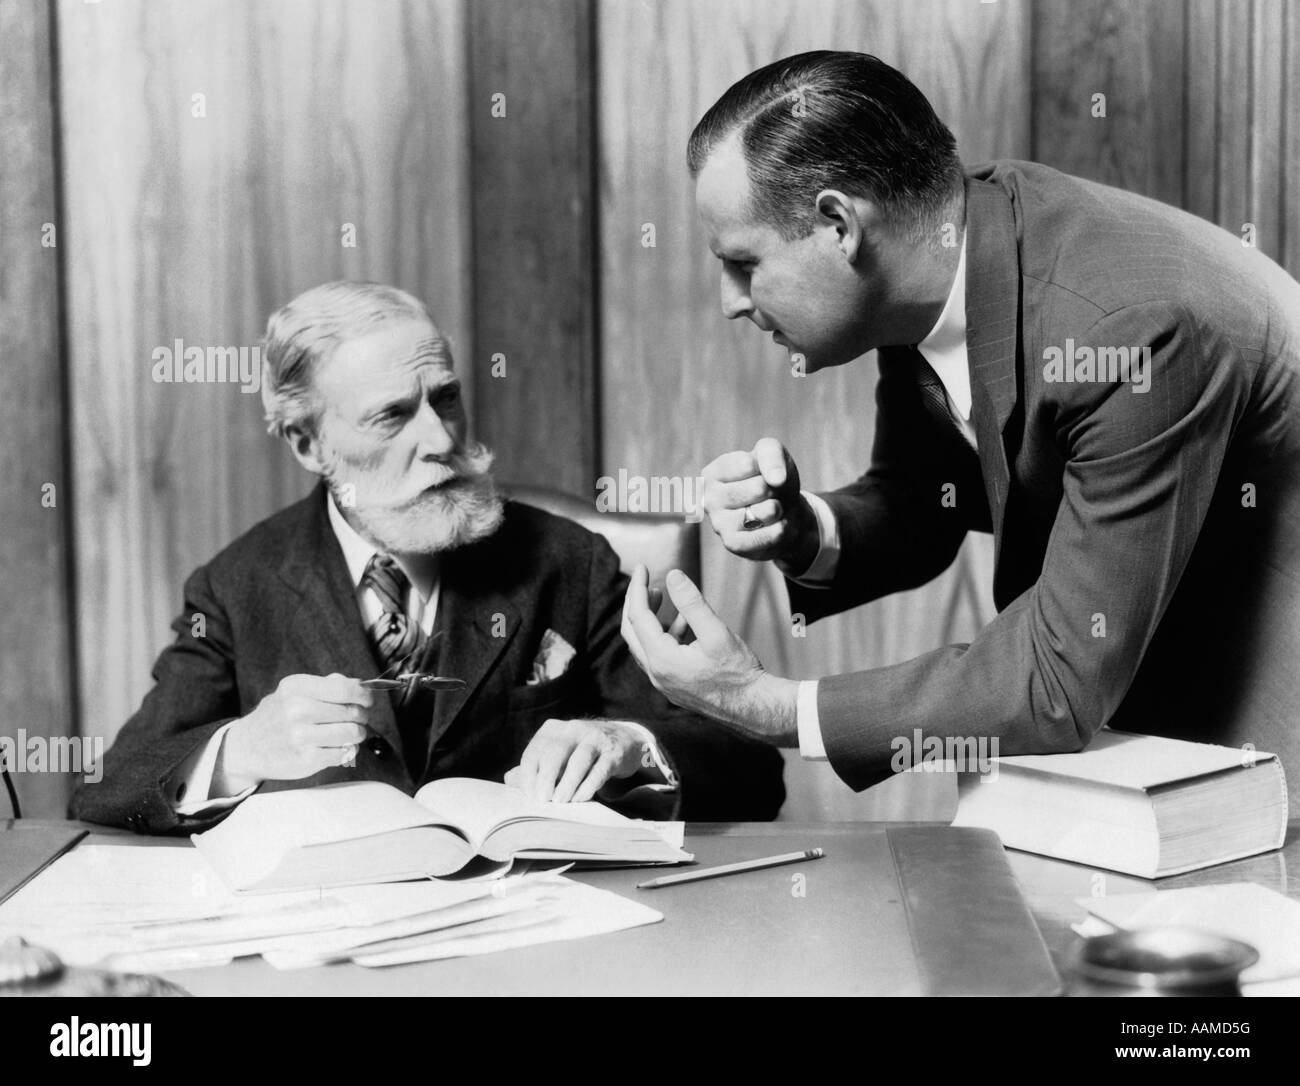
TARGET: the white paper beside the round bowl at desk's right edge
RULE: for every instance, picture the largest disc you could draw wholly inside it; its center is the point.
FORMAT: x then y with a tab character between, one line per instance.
1267	920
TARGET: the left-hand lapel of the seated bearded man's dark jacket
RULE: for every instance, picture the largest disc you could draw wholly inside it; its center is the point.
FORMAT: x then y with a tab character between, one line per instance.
327	630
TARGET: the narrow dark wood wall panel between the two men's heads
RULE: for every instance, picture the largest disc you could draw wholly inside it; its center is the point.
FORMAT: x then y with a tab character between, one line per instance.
535	276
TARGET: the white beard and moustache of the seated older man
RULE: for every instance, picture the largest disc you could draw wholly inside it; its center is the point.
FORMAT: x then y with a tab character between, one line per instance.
465	508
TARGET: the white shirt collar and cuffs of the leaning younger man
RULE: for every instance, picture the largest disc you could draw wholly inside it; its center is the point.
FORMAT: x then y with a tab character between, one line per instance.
946	352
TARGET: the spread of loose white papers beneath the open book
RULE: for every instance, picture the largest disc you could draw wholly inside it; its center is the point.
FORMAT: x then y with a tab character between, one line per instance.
150	910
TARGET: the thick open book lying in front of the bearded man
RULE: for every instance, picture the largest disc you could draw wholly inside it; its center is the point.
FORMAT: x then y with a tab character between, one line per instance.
367	832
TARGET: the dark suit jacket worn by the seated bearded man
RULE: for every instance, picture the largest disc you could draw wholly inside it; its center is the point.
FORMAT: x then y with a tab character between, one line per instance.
280	602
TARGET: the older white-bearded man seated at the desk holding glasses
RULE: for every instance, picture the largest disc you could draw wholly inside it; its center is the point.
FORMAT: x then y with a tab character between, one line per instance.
405	559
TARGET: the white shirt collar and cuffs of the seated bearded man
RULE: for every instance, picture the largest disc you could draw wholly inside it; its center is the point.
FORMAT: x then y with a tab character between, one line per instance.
192	784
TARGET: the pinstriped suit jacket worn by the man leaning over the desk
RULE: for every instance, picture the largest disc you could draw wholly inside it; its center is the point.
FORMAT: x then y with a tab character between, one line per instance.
1172	517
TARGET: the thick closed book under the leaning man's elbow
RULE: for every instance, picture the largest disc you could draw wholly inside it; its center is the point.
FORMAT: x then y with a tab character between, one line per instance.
1141	804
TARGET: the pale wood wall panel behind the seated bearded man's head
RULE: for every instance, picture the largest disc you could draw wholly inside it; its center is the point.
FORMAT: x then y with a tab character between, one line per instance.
193	219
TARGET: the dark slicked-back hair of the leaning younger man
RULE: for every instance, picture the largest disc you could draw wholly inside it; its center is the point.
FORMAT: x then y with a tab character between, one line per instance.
835	120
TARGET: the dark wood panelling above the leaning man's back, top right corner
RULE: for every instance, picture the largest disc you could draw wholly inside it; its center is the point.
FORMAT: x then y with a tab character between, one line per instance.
1202	106
